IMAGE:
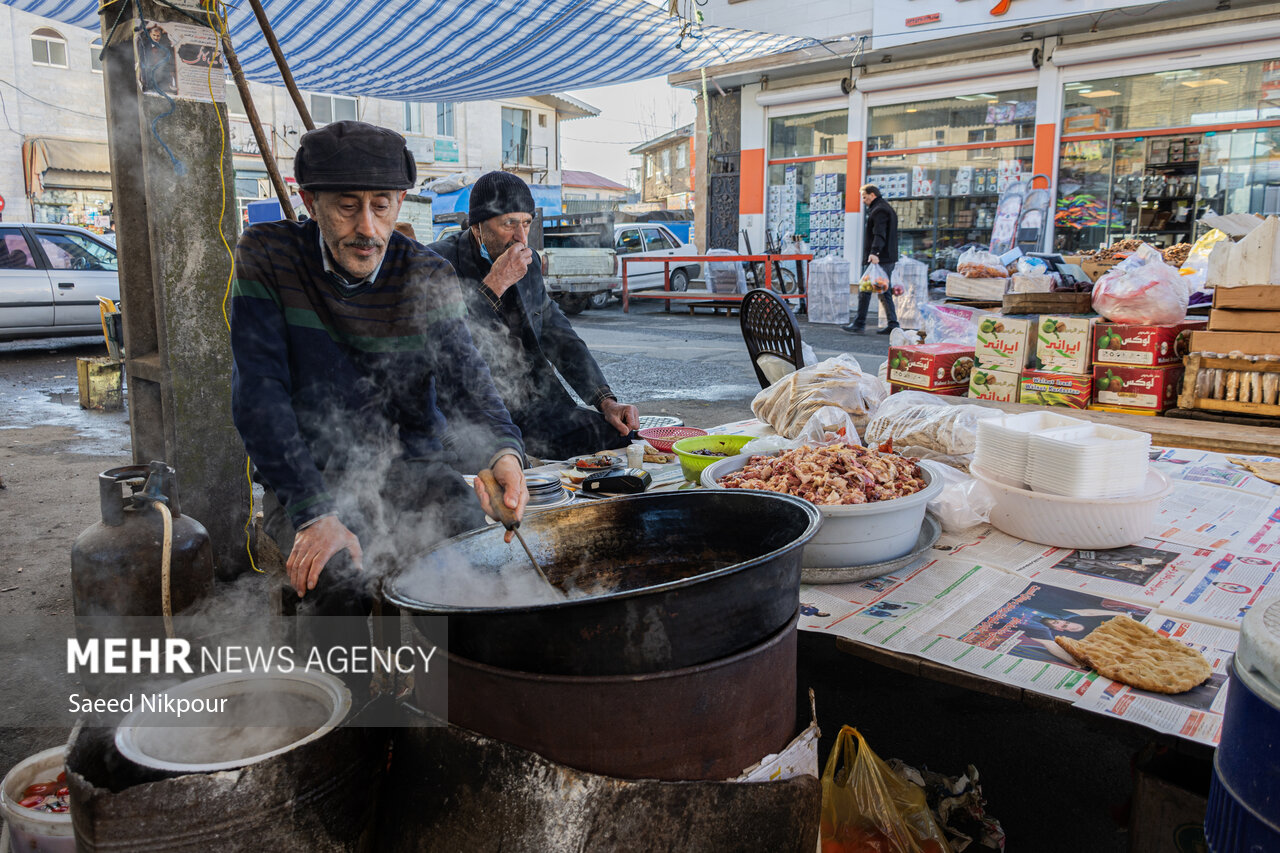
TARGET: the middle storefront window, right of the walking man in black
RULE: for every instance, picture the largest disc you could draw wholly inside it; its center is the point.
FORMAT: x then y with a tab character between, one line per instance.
930	162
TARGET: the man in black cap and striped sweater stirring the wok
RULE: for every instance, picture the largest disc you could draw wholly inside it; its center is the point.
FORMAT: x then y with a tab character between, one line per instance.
346	339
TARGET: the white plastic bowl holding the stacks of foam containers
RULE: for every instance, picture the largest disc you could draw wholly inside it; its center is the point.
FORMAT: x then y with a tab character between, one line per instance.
1076	523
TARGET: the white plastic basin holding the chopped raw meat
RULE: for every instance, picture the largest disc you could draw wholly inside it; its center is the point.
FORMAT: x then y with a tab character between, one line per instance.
861	533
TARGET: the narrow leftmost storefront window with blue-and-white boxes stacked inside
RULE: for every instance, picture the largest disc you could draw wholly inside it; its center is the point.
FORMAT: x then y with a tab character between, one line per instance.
808	156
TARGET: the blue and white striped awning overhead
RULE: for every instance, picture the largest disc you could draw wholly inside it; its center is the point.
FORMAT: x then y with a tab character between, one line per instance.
459	51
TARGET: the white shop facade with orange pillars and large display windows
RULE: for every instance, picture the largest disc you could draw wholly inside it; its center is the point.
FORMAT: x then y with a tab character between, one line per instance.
1137	122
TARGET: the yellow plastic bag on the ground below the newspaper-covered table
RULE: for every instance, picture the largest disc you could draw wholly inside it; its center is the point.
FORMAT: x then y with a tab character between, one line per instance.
867	808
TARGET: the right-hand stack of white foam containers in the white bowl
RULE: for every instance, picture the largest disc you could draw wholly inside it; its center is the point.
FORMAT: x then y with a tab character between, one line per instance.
1090	462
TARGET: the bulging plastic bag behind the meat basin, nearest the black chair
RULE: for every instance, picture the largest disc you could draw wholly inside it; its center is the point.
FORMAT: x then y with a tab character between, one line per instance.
790	403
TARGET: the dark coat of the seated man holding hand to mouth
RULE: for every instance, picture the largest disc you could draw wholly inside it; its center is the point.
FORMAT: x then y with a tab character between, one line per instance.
522	361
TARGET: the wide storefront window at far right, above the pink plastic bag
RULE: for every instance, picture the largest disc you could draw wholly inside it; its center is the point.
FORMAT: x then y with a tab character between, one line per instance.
1159	183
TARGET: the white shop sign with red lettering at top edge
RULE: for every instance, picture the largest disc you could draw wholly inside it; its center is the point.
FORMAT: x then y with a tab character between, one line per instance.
924	19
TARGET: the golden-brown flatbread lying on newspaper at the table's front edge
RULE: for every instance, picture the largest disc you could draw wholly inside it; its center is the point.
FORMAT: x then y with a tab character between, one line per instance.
1130	653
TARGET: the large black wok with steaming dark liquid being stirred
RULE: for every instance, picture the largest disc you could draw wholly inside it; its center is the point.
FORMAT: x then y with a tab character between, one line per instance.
682	580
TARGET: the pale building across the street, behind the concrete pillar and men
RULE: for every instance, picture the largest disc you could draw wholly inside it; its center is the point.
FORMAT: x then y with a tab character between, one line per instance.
54	163
